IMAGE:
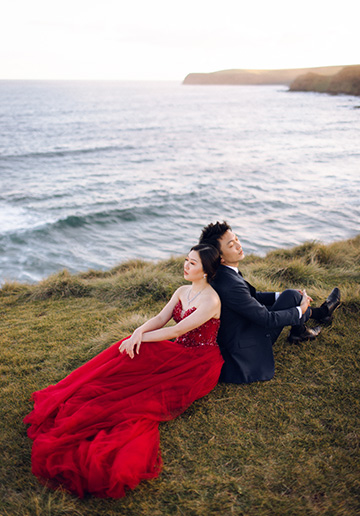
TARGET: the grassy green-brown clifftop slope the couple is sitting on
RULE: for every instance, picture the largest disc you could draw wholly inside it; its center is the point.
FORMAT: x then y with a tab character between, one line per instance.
285	447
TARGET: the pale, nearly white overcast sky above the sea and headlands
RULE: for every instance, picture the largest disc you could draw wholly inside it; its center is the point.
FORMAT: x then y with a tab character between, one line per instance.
167	39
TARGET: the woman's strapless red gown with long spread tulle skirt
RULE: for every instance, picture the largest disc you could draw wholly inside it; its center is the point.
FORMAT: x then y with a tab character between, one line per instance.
97	432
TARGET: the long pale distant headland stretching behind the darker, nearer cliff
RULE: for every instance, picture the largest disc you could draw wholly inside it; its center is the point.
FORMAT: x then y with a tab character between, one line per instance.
256	77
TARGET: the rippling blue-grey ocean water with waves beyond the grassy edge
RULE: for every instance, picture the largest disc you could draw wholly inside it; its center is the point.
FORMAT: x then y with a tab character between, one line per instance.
96	173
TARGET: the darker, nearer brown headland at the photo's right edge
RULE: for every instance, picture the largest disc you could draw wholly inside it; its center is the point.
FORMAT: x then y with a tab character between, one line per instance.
346	81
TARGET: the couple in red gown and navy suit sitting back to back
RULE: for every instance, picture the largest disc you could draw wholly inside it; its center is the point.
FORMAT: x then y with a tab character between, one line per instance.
96	431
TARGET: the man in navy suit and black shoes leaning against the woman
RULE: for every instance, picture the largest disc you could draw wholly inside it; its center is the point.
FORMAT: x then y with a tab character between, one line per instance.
251	321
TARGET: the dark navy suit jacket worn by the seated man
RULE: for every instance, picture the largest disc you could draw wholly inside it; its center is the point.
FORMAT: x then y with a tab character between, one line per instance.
244	337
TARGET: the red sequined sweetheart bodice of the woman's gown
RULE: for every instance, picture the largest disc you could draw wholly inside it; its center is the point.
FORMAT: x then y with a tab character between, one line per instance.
204	335
